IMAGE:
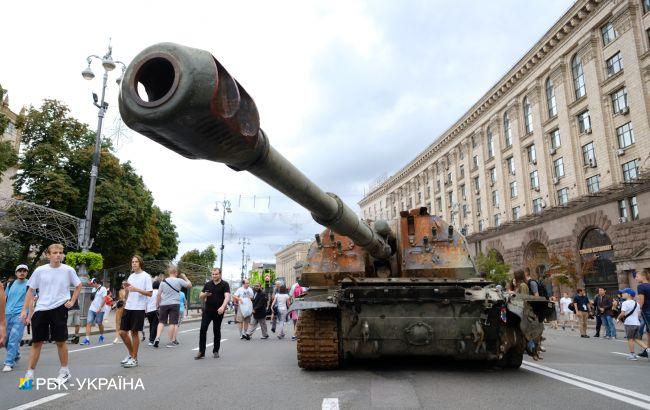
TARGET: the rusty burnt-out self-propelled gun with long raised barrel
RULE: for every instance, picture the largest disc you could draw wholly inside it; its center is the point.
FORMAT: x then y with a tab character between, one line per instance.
407	287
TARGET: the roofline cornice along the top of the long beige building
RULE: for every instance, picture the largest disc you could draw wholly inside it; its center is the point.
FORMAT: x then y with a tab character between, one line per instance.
567	24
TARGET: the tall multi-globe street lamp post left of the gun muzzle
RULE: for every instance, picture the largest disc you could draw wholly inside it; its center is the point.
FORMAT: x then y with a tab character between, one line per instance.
109	64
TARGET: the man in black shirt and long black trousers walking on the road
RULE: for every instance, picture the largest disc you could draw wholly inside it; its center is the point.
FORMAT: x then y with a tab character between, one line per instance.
216	294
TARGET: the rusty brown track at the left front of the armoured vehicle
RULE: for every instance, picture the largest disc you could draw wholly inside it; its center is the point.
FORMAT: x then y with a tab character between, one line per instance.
318	340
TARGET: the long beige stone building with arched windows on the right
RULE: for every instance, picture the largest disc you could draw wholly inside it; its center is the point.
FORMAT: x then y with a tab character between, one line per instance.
554	158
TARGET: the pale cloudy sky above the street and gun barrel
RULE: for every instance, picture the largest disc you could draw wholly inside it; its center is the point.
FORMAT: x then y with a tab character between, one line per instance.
349	91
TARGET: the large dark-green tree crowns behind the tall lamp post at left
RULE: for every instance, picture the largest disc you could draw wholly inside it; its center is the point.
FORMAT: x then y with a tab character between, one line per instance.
55	169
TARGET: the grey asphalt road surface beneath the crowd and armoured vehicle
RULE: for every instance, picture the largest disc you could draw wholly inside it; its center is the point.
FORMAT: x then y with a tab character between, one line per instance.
576	373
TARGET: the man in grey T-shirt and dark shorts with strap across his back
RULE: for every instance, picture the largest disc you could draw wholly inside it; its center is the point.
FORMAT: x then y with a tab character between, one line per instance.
169	304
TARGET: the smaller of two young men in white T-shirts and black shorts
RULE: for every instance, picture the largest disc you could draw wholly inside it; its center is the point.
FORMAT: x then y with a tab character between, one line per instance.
138	287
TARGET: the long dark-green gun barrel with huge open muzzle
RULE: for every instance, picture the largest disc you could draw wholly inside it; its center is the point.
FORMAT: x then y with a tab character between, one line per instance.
184	99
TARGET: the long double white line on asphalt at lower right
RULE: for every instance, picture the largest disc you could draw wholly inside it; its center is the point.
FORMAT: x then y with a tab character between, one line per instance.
605	389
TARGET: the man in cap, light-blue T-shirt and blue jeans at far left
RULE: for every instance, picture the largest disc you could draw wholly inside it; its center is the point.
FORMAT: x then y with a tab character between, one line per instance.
16	292
